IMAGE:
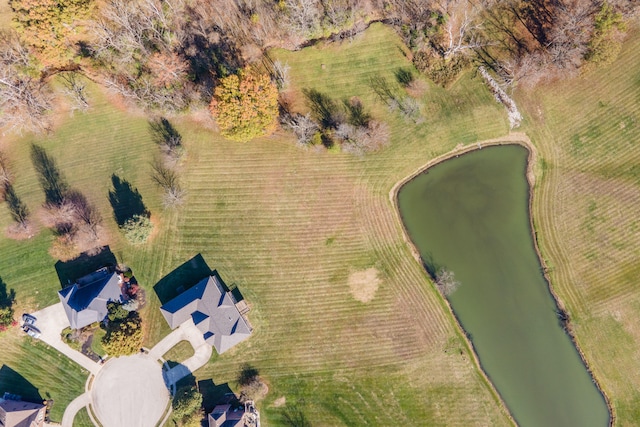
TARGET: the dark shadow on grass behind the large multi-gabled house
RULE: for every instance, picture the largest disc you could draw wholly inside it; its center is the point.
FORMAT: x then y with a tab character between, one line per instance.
182	278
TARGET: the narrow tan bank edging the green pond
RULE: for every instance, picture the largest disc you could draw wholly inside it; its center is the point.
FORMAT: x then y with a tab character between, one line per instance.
515	138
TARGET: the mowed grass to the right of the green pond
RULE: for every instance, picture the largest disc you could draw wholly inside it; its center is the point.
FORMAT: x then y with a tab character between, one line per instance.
586	211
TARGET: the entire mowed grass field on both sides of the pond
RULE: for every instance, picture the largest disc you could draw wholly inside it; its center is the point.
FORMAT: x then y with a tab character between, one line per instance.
290	226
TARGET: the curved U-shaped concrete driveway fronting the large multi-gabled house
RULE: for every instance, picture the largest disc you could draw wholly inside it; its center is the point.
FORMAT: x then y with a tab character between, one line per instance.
202	351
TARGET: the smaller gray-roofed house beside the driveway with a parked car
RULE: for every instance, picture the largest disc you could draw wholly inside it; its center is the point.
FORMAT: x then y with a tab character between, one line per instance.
86	300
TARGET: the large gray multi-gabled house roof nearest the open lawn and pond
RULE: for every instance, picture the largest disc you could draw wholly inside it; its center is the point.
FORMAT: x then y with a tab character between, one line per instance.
213	310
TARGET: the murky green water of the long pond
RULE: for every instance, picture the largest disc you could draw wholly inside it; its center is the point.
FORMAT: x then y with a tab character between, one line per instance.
470	215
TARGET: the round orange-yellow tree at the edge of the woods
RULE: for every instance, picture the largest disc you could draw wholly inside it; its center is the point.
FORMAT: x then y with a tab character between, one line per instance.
245	105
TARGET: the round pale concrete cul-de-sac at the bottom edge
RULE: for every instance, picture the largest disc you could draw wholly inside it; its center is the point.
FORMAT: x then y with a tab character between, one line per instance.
130	391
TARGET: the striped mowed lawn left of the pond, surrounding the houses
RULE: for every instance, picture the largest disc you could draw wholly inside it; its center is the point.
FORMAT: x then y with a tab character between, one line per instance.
288	226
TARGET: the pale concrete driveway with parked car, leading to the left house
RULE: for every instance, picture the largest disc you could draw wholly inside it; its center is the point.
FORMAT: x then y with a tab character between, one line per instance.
51	321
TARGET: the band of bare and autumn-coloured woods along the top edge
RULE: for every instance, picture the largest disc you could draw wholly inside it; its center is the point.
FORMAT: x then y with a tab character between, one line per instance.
169	55
